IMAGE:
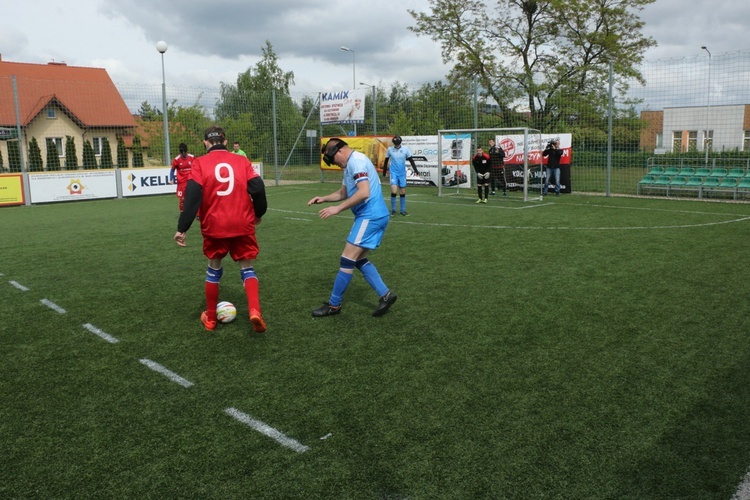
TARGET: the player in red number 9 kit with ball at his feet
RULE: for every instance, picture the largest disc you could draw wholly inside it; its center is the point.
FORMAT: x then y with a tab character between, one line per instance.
231	198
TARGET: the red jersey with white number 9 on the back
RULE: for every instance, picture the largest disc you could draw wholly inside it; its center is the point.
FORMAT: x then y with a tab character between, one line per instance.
226	207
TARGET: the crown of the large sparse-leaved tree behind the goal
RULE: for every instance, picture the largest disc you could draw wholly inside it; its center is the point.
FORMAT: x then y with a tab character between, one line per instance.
545	56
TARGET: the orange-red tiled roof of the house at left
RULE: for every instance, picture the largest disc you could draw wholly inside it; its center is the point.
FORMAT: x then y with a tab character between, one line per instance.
87	95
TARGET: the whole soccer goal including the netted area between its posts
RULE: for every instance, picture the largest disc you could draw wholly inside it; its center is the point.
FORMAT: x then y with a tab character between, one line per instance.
523	172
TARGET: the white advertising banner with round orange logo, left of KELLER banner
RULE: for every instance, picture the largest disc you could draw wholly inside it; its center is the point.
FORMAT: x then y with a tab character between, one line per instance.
74	185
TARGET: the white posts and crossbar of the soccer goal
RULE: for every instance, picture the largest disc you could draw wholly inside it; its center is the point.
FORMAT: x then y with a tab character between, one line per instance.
529	135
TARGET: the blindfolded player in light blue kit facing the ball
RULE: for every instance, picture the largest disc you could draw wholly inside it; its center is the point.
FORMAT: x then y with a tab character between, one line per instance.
360	191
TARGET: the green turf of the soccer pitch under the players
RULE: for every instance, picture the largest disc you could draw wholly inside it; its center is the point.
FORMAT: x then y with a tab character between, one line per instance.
580	347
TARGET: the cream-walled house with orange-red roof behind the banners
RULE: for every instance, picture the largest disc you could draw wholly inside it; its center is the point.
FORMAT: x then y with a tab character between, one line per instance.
53	101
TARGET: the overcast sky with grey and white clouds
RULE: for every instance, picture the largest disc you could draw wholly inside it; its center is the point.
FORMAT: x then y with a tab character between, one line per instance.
212	41
